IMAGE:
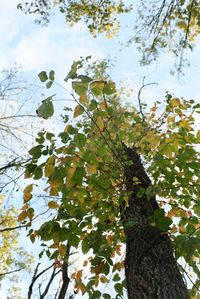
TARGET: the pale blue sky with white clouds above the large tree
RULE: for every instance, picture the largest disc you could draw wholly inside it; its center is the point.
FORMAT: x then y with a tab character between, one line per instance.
37	48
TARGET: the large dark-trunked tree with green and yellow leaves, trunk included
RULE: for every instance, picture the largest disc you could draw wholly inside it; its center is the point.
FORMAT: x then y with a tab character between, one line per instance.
117	176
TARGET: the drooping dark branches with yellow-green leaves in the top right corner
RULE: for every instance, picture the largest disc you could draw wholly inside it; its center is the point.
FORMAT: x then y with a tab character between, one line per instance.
171	25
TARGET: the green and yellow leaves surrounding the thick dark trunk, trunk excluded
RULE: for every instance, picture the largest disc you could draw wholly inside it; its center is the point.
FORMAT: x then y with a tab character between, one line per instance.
84	171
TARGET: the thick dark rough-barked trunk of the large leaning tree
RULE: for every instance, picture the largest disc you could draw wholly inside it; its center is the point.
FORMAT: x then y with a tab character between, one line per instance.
150	267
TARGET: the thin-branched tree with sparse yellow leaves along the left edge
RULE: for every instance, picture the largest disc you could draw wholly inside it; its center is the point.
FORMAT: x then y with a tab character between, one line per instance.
14	91
